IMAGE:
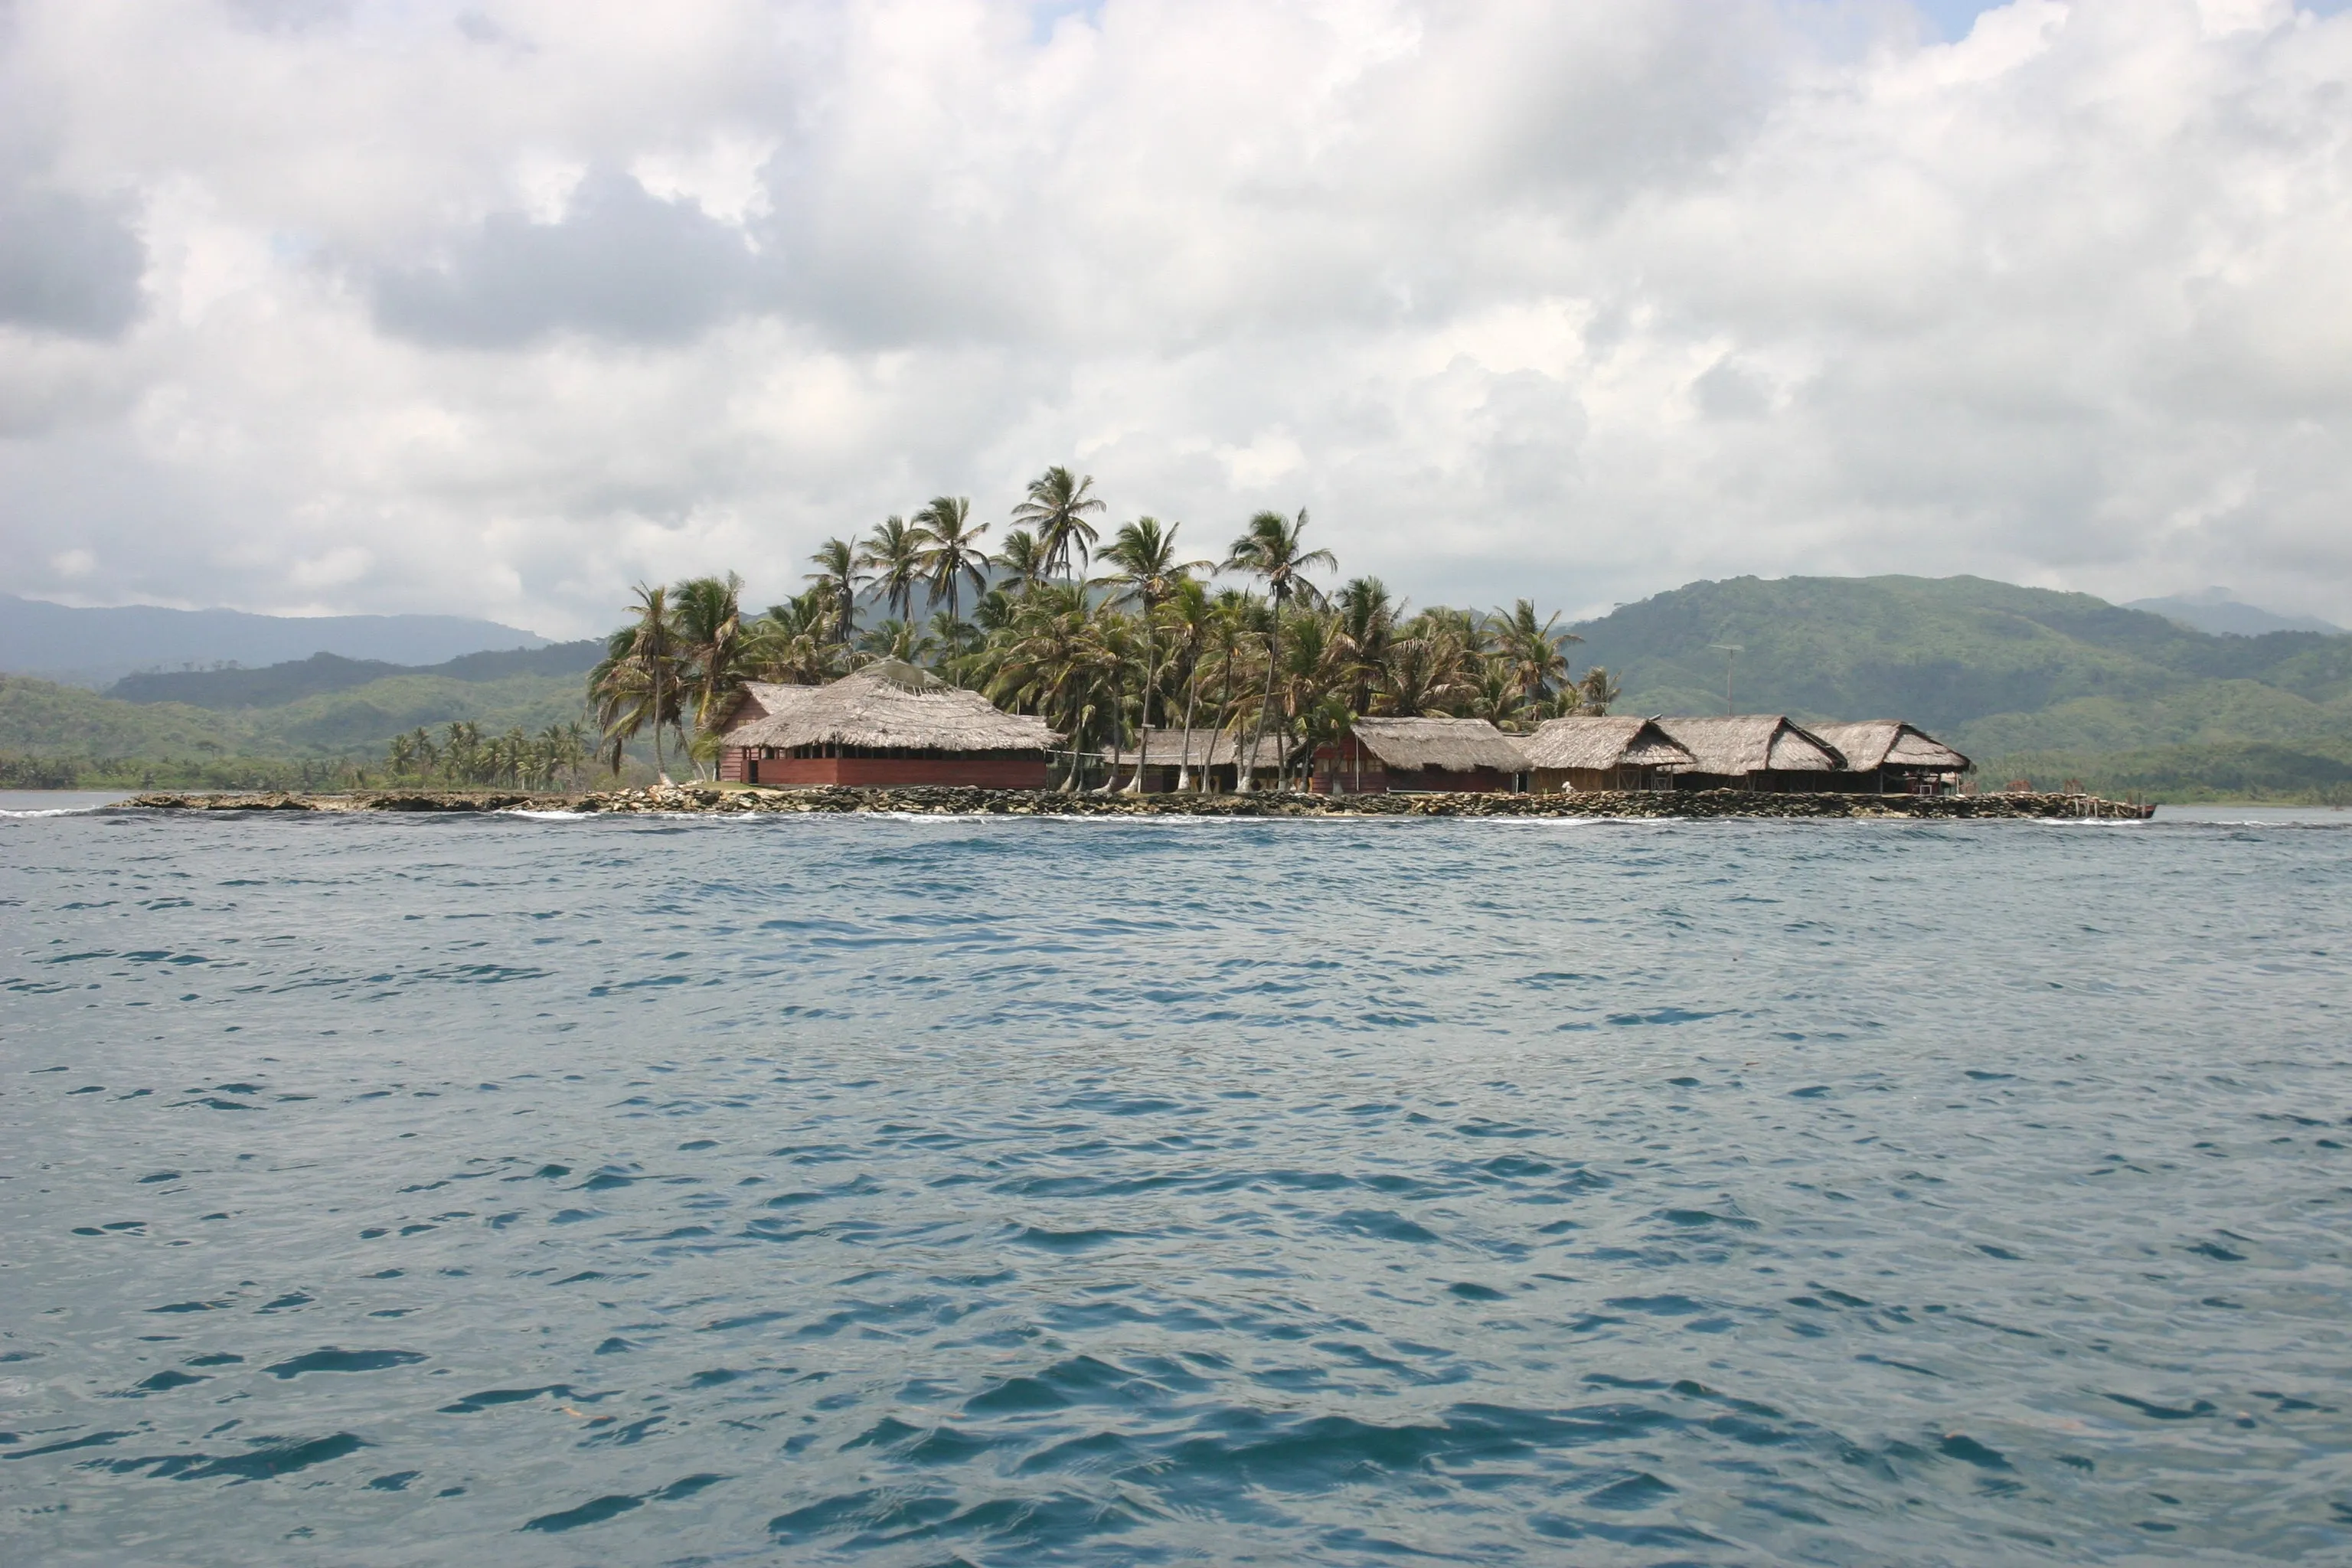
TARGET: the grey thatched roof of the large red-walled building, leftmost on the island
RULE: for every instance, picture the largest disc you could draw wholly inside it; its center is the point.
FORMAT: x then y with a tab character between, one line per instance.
888	706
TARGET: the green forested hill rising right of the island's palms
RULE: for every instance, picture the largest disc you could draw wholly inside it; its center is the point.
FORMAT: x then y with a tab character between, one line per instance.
2007	674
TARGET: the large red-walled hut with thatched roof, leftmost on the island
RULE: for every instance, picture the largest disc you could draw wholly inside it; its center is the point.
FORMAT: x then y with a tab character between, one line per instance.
886	725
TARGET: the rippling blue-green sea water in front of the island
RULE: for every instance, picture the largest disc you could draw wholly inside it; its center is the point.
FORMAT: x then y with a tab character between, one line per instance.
878	1191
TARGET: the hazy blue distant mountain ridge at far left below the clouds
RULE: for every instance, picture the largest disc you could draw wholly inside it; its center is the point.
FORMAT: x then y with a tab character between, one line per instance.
100	645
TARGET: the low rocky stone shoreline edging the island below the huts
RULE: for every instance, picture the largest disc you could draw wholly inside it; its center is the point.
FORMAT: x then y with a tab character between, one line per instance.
735	800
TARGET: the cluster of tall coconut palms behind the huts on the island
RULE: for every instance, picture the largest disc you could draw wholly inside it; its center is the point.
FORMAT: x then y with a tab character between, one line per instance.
1097	636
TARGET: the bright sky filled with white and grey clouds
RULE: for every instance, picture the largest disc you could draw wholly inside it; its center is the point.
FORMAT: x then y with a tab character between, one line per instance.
495	309
